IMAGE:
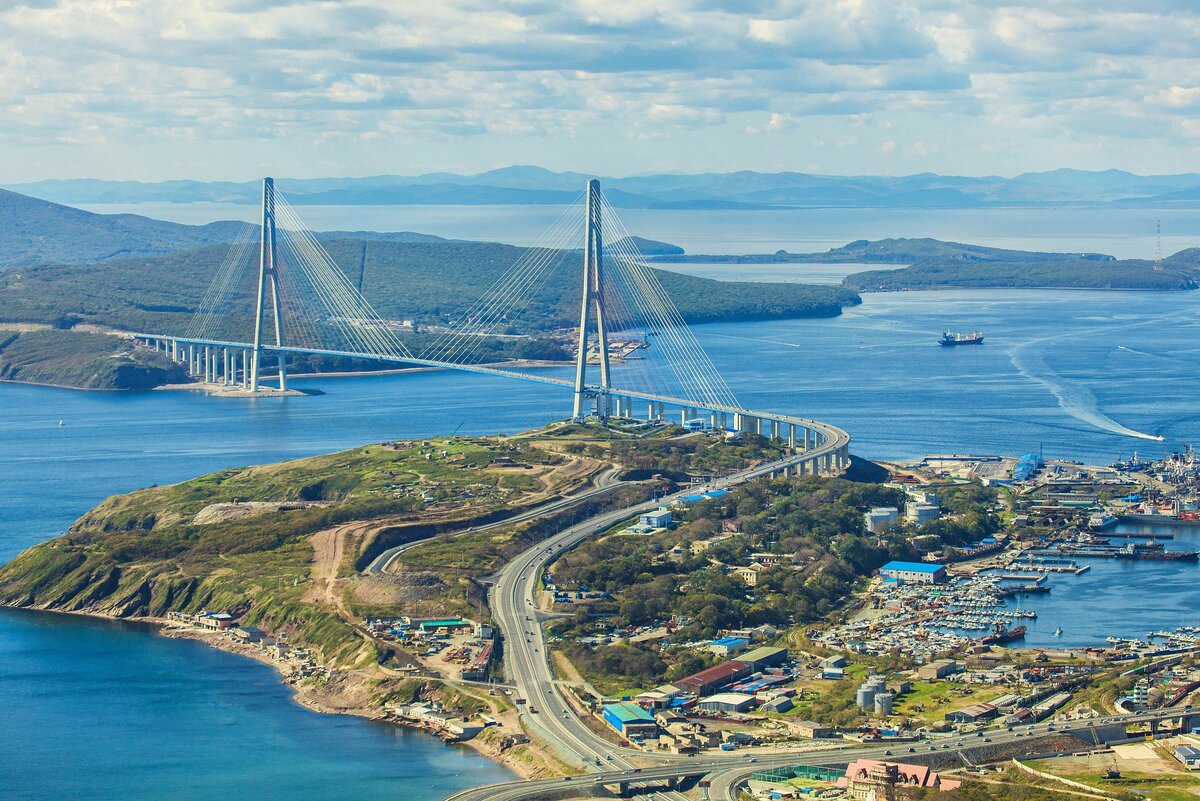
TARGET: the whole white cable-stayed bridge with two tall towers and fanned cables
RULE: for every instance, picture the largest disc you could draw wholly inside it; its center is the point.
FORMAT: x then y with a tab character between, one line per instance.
280	294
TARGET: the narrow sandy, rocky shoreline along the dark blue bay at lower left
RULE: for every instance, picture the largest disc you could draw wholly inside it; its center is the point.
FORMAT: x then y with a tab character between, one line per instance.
309	697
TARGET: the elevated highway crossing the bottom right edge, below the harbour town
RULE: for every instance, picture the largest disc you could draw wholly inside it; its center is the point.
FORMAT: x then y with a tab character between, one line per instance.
727	775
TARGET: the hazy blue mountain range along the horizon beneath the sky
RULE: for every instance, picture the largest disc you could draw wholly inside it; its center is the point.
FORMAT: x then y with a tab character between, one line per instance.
742	190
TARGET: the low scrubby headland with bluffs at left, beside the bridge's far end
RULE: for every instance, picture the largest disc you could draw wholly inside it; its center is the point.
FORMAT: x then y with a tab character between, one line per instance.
86	362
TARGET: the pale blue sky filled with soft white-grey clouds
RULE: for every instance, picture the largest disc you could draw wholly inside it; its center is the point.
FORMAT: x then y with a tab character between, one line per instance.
226	89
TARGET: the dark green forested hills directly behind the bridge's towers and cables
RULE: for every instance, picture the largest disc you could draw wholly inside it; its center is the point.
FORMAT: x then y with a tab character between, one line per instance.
428	282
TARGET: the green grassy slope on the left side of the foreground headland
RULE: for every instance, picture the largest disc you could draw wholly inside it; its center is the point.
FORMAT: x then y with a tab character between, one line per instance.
141	555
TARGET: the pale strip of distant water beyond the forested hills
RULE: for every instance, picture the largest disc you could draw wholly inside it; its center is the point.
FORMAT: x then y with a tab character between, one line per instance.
1124	233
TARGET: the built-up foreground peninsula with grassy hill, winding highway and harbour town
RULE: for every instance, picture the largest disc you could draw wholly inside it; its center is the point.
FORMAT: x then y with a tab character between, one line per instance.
826	622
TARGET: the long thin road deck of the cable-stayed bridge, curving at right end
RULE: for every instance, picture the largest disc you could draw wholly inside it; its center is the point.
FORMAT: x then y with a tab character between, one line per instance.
823	456
